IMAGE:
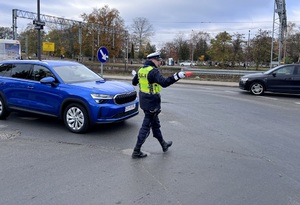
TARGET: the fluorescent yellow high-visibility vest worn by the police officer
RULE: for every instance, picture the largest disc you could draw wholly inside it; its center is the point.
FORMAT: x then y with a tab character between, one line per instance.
144	84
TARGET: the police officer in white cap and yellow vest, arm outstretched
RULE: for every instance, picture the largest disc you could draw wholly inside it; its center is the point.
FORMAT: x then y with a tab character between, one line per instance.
150	84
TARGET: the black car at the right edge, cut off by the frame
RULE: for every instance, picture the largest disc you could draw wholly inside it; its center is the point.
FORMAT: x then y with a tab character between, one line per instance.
281	79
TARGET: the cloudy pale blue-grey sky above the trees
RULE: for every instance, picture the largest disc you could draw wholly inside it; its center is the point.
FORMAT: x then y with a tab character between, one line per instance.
168	18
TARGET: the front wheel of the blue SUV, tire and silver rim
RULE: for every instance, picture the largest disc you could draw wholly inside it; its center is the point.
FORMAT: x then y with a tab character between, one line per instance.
76	118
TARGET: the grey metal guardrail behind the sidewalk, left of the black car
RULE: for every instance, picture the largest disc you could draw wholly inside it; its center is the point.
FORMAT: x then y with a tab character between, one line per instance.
220	72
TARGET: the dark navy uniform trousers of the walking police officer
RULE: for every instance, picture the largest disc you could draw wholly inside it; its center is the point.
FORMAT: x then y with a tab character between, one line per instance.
151	121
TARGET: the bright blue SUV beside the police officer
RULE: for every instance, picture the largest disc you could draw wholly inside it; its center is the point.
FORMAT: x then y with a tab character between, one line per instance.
66	90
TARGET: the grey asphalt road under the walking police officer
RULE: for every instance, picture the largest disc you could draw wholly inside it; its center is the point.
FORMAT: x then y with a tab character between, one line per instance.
229	147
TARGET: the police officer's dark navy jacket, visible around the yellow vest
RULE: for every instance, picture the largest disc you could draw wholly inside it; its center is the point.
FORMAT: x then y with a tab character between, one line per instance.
151	102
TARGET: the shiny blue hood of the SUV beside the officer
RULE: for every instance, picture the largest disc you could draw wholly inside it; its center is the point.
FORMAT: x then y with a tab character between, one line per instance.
108	87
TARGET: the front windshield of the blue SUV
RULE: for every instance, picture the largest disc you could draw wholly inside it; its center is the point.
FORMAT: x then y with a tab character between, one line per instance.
76	73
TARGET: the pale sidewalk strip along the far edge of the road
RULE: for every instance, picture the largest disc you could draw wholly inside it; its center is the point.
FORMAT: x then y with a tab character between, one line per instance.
185	81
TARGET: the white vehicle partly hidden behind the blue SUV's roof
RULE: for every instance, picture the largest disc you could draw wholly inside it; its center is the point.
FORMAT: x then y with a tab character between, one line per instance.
10	49
